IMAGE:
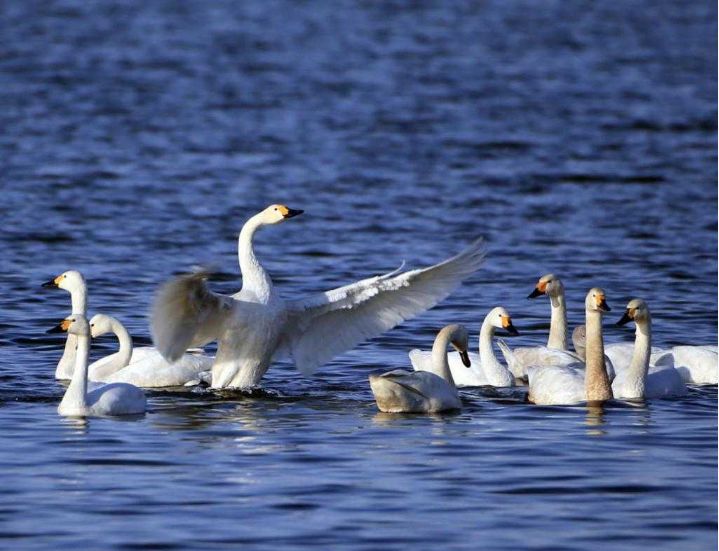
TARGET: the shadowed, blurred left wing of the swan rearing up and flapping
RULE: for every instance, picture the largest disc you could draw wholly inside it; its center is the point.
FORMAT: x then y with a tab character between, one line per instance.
186	313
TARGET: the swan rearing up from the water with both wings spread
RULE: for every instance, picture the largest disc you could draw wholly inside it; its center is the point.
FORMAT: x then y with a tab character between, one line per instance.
256	325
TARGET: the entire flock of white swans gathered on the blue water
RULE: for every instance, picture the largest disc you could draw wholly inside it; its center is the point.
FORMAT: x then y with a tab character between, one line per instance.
257	325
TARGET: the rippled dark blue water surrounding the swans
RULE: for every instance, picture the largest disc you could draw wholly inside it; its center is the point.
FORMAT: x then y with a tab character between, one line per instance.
578	138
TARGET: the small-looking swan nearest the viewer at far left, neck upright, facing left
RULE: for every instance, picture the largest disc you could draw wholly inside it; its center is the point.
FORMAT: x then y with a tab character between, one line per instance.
111	399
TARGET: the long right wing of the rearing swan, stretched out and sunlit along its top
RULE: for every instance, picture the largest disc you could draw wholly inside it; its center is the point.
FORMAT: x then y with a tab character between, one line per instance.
321	327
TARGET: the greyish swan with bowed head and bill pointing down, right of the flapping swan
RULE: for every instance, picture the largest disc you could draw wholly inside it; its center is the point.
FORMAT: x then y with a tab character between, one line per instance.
401	391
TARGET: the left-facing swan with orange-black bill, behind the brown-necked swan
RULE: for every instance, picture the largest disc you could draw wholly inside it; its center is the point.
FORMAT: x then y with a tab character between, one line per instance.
555	353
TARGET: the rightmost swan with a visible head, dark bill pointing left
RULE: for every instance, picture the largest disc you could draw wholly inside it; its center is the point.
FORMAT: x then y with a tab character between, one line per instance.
639	379
